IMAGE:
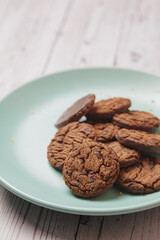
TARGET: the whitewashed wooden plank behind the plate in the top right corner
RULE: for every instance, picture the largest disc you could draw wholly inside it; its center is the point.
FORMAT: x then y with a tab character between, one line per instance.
140	36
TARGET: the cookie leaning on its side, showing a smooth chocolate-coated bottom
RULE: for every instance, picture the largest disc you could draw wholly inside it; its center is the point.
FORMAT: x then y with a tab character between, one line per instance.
76	111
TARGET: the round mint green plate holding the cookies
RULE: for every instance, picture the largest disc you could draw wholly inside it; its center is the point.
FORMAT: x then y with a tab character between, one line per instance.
27	126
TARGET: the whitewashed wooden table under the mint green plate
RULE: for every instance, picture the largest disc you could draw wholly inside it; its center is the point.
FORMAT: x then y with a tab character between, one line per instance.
38	37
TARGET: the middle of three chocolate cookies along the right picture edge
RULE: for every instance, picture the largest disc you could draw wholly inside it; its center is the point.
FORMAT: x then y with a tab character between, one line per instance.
139	140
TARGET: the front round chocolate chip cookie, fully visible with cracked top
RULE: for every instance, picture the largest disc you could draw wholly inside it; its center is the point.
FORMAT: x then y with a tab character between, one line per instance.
90	169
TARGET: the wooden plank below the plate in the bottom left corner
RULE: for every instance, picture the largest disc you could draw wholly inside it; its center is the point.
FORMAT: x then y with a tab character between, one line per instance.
22	220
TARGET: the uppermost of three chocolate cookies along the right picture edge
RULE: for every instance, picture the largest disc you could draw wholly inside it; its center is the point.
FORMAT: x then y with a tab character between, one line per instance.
136	120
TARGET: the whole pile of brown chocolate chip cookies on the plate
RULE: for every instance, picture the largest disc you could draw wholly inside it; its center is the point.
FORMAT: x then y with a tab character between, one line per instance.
111	146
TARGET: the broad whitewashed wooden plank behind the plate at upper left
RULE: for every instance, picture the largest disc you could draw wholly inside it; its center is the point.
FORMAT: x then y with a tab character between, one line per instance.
27	33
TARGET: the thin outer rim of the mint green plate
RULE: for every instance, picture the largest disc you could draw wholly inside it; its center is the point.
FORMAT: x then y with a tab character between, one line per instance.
81	210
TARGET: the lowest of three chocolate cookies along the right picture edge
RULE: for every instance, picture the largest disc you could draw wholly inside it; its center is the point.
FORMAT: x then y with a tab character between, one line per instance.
143	177
